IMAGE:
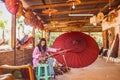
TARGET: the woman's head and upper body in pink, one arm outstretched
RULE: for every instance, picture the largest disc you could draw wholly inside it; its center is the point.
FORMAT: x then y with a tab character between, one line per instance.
41	49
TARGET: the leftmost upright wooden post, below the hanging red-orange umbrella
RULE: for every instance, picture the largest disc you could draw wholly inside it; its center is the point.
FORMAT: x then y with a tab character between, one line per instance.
13	35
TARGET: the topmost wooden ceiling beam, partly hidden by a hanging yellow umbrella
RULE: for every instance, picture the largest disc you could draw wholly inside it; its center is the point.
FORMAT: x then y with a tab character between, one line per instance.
64	4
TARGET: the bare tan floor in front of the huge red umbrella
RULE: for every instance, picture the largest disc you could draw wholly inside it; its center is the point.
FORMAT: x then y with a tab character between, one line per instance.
99	70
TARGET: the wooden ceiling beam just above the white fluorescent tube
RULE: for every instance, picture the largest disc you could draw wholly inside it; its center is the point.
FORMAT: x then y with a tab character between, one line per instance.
73	11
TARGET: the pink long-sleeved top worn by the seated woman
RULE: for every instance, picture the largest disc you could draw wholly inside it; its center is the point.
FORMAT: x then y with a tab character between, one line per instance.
37	53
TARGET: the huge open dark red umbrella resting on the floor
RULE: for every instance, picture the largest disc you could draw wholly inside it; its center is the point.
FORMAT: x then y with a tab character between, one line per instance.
79	49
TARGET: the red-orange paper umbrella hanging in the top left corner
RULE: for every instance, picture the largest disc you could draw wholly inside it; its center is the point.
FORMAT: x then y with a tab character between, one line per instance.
12	6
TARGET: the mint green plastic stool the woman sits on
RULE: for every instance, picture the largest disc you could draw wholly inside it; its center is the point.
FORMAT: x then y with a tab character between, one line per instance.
42	72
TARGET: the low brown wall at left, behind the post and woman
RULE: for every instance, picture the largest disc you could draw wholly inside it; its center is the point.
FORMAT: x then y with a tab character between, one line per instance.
22	57
